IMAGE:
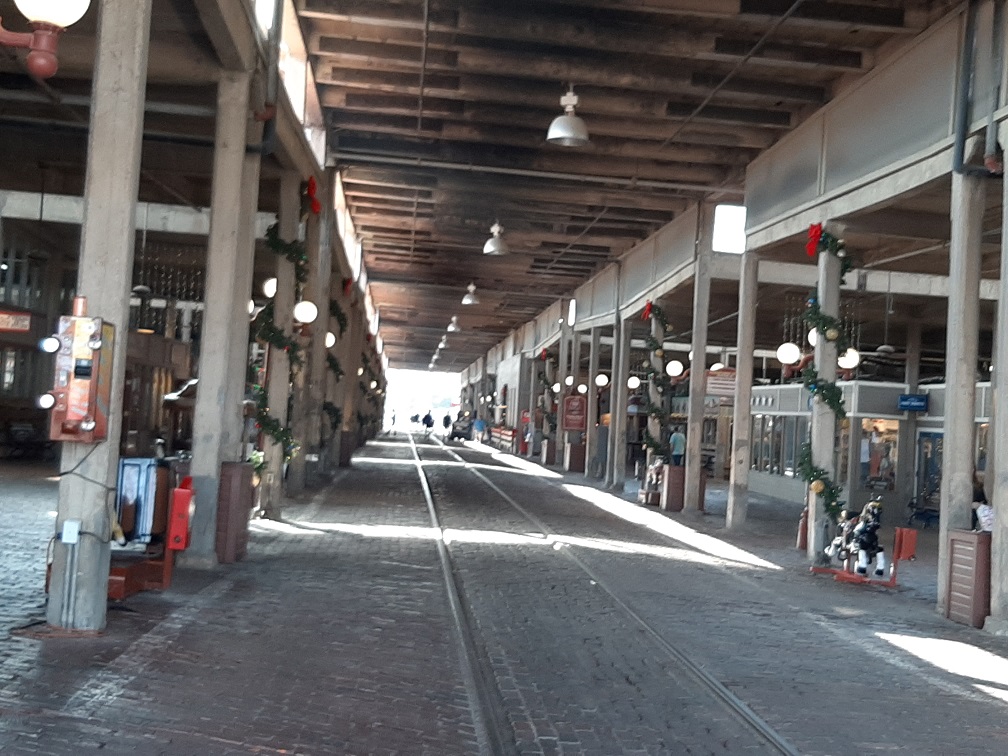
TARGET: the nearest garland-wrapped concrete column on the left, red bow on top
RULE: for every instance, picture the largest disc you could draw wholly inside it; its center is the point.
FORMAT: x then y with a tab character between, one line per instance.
279	373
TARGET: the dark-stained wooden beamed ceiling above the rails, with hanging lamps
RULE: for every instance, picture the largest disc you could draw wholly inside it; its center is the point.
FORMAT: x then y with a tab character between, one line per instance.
439	109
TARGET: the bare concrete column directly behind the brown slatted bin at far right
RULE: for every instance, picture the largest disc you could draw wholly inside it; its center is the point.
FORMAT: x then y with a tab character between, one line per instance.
969	196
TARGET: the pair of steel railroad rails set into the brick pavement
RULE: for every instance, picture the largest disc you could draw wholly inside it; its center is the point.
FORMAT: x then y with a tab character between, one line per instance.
493	729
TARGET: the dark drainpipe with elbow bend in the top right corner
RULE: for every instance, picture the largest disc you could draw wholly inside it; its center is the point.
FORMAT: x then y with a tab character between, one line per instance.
993	165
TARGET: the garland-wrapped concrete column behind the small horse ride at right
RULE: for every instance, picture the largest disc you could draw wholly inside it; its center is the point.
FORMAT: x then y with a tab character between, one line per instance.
824	423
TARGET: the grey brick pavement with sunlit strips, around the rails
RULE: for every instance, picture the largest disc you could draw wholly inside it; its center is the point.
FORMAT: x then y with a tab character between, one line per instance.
334	638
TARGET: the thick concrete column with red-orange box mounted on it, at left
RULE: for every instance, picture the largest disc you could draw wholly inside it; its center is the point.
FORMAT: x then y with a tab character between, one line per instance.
79	586
